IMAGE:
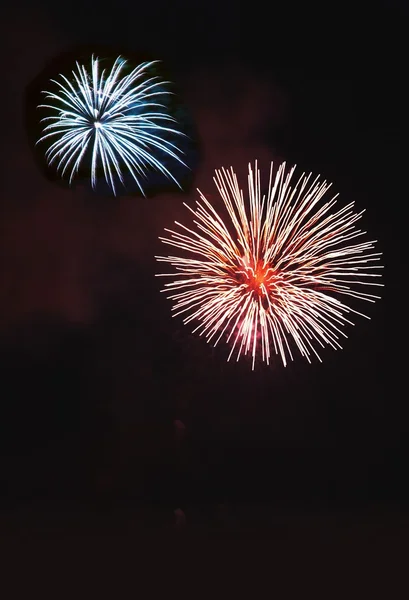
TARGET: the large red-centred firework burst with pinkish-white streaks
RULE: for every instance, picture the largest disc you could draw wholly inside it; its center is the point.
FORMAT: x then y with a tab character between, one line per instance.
269	274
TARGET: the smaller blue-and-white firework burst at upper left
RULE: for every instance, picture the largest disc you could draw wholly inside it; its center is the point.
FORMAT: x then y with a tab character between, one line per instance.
113	119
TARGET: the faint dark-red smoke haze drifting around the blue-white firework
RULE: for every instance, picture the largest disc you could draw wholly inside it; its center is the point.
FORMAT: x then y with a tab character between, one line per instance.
54	241
